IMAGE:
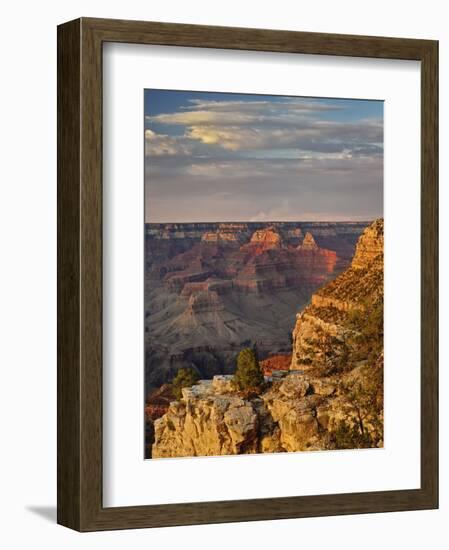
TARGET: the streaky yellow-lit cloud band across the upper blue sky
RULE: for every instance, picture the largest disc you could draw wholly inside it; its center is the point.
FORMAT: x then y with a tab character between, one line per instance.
241	126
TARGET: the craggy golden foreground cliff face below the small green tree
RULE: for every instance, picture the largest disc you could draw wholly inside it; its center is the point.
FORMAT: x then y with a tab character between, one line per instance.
212	419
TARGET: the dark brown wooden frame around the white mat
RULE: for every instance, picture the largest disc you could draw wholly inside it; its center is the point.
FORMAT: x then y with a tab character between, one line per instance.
80	274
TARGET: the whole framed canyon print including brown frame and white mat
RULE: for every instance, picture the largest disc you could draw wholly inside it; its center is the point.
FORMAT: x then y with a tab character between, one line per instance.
247	288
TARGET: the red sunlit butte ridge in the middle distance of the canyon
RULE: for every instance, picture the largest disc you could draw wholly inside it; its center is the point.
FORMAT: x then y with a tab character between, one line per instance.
265	264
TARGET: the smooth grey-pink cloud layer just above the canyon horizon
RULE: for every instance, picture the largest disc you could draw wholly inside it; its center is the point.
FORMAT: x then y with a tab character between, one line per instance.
263	190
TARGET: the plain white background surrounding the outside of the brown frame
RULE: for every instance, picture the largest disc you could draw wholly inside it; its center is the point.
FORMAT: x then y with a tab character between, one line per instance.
28	272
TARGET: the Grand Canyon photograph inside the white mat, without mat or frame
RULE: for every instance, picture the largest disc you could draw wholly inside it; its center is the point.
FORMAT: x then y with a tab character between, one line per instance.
263	274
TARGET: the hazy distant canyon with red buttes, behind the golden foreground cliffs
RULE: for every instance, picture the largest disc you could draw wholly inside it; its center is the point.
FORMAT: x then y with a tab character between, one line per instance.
212	288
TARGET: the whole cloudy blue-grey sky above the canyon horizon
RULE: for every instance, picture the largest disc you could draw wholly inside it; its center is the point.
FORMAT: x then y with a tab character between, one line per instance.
245	157
